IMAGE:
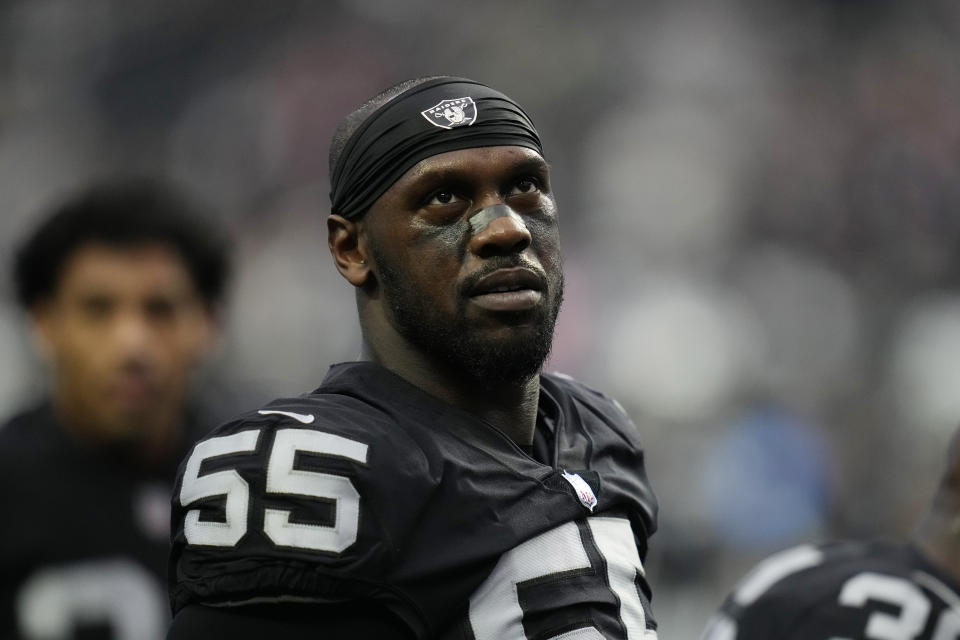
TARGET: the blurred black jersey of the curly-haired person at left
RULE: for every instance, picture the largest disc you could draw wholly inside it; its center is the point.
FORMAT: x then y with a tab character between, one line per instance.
84	538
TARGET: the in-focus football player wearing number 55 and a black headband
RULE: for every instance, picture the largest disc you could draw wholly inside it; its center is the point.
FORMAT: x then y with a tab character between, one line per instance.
442	487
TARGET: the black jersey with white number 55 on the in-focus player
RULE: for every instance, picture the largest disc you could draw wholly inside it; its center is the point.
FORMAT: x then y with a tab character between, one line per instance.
370	490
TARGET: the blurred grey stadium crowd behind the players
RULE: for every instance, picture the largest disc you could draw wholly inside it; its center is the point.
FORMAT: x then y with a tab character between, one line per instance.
759	199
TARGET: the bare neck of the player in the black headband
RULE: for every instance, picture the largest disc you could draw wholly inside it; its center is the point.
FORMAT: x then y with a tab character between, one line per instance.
510	406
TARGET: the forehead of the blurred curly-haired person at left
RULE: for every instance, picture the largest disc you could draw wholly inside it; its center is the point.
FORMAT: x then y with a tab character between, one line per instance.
140	268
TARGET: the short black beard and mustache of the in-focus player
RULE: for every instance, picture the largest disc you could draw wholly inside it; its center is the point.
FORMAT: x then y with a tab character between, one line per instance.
454	342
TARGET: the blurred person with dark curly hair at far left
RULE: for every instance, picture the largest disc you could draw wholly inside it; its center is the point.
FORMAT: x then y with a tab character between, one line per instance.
122	283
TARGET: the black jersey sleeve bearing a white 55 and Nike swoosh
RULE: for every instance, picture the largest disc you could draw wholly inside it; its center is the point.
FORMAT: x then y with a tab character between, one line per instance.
295	503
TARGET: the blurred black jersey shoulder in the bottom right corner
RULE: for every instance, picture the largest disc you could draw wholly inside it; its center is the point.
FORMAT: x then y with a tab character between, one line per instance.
841	591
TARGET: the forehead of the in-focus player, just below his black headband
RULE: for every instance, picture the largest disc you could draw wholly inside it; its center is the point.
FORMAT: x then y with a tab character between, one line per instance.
478	162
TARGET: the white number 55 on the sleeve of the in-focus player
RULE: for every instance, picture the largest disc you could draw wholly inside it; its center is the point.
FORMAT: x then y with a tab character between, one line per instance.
282	478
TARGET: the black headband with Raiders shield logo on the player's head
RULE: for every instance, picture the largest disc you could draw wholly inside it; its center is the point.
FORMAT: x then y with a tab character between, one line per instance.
440	115
